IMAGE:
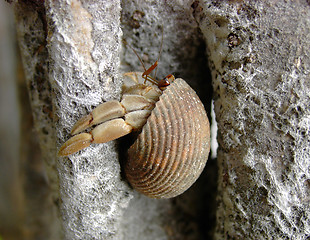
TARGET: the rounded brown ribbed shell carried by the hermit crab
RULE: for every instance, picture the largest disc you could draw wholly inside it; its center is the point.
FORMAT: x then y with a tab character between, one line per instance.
172	149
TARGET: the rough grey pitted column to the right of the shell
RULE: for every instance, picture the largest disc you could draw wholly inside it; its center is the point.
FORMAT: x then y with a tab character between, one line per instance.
259	57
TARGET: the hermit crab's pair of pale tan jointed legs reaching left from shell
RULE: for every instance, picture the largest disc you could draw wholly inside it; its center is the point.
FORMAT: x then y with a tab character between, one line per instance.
110	116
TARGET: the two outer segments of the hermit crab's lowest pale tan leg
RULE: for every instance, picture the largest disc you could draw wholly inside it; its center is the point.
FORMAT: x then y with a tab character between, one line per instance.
104	132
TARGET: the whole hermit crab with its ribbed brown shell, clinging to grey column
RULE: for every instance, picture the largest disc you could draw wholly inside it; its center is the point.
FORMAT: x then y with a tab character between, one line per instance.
173	143
